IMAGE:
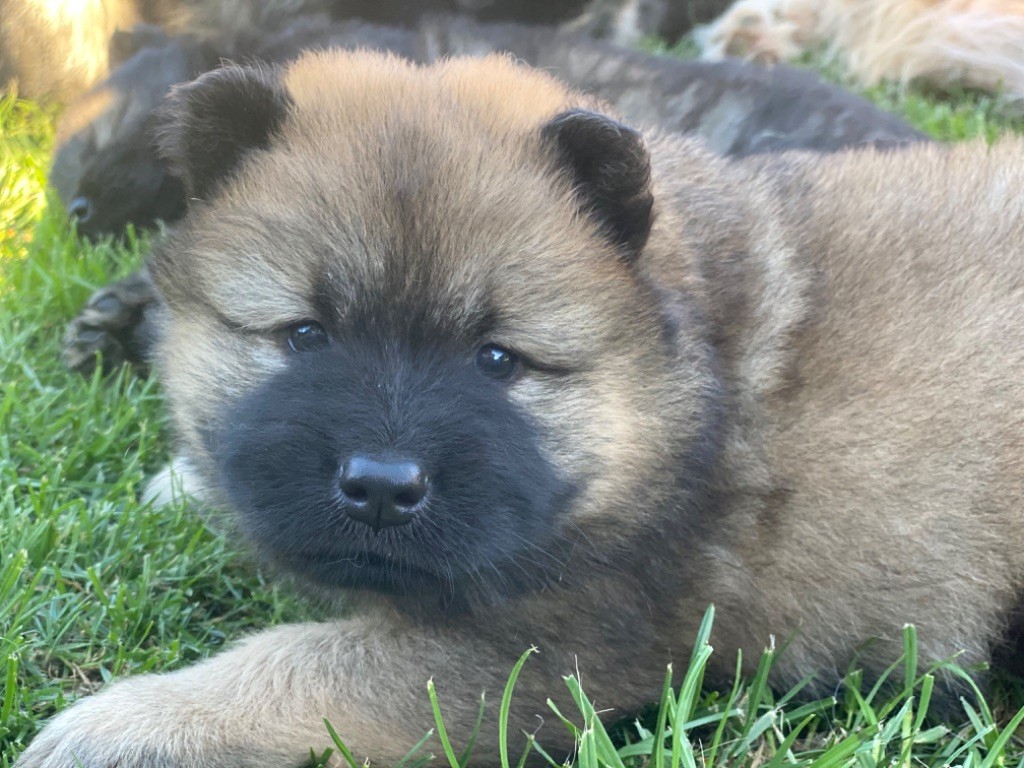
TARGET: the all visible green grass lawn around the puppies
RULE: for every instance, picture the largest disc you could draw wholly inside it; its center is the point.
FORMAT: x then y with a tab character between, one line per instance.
95	586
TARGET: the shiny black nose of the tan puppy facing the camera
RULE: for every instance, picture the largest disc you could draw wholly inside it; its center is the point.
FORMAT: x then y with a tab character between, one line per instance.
382	493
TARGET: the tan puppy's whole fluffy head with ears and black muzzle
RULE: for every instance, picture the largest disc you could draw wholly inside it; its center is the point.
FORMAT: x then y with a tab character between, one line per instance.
409	336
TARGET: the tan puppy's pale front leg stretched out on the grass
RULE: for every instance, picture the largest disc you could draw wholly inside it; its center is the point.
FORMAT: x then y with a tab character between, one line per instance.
264	703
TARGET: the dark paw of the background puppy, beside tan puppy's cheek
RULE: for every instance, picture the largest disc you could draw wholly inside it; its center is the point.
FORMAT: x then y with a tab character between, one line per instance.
113	323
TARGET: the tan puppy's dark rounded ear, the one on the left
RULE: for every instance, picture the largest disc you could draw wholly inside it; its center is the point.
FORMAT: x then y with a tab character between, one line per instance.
208	126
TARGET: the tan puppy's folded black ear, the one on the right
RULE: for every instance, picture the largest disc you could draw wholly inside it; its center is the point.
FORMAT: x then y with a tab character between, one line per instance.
611	169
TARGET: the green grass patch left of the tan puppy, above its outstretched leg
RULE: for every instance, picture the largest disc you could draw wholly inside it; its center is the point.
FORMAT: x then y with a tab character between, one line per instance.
93	585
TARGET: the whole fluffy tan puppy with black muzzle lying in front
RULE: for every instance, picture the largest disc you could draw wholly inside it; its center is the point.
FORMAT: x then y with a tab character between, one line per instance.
454	342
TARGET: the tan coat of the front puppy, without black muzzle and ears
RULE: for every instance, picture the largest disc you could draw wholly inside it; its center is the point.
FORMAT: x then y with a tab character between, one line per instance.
856	323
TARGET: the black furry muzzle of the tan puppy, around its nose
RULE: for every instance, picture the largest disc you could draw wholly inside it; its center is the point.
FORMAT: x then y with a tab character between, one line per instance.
489	529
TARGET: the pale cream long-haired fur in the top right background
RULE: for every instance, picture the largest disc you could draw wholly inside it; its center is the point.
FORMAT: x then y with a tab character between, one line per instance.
976	44
